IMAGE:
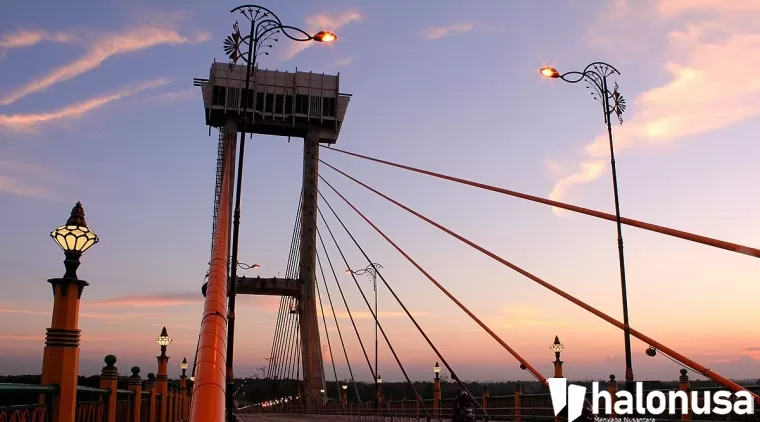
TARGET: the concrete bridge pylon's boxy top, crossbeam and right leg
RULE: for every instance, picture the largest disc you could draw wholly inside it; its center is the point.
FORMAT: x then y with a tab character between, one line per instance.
293	104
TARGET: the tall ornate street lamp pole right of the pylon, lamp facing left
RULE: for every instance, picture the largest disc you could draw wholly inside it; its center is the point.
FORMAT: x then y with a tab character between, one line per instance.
595	75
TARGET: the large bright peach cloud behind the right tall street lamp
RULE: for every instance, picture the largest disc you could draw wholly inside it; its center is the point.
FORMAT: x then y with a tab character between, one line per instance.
701	57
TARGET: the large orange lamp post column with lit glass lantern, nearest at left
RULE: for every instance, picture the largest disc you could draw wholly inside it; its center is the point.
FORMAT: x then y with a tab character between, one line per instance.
60	360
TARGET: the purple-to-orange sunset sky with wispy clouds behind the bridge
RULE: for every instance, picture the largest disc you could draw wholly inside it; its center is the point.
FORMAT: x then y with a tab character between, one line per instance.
97	105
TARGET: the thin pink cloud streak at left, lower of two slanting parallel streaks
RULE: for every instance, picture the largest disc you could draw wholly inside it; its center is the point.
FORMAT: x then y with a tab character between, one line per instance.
31	121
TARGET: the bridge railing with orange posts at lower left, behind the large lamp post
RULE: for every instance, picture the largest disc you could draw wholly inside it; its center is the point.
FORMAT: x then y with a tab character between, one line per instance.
141	402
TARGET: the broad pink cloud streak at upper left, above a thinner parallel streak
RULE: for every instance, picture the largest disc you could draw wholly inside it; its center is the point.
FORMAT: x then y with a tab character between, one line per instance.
105	46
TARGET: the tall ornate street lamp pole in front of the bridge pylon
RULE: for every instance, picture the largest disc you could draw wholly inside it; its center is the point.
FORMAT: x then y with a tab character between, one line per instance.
264	27
